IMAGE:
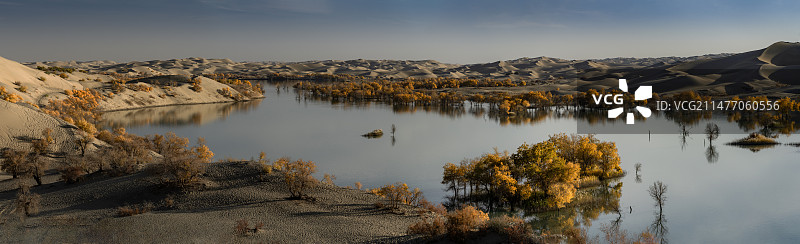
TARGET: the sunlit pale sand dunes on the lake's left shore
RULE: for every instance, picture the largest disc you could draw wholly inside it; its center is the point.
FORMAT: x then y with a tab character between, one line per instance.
22	123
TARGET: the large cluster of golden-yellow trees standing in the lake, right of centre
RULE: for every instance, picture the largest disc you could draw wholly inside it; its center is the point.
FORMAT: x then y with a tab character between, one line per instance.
544	175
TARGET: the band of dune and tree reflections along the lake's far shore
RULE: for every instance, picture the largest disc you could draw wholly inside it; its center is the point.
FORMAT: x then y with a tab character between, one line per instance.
687	121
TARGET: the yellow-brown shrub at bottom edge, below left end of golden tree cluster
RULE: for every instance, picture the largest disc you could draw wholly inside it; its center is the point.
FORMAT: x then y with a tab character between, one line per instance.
462	222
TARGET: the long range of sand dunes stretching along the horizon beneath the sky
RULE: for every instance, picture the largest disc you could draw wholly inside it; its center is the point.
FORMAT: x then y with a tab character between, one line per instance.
769	70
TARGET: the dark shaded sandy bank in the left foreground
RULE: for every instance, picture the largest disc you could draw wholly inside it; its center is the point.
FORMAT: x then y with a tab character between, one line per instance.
87	212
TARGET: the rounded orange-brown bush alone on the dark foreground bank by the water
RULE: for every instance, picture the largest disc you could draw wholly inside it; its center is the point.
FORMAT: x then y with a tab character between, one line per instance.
298	177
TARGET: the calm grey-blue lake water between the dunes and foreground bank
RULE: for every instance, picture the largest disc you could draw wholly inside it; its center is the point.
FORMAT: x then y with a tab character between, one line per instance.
742	197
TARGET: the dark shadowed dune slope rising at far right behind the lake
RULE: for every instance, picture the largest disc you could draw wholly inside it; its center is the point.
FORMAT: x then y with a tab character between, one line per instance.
772	71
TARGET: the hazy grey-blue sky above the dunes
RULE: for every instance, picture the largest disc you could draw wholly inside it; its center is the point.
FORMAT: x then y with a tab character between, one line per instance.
452	31
